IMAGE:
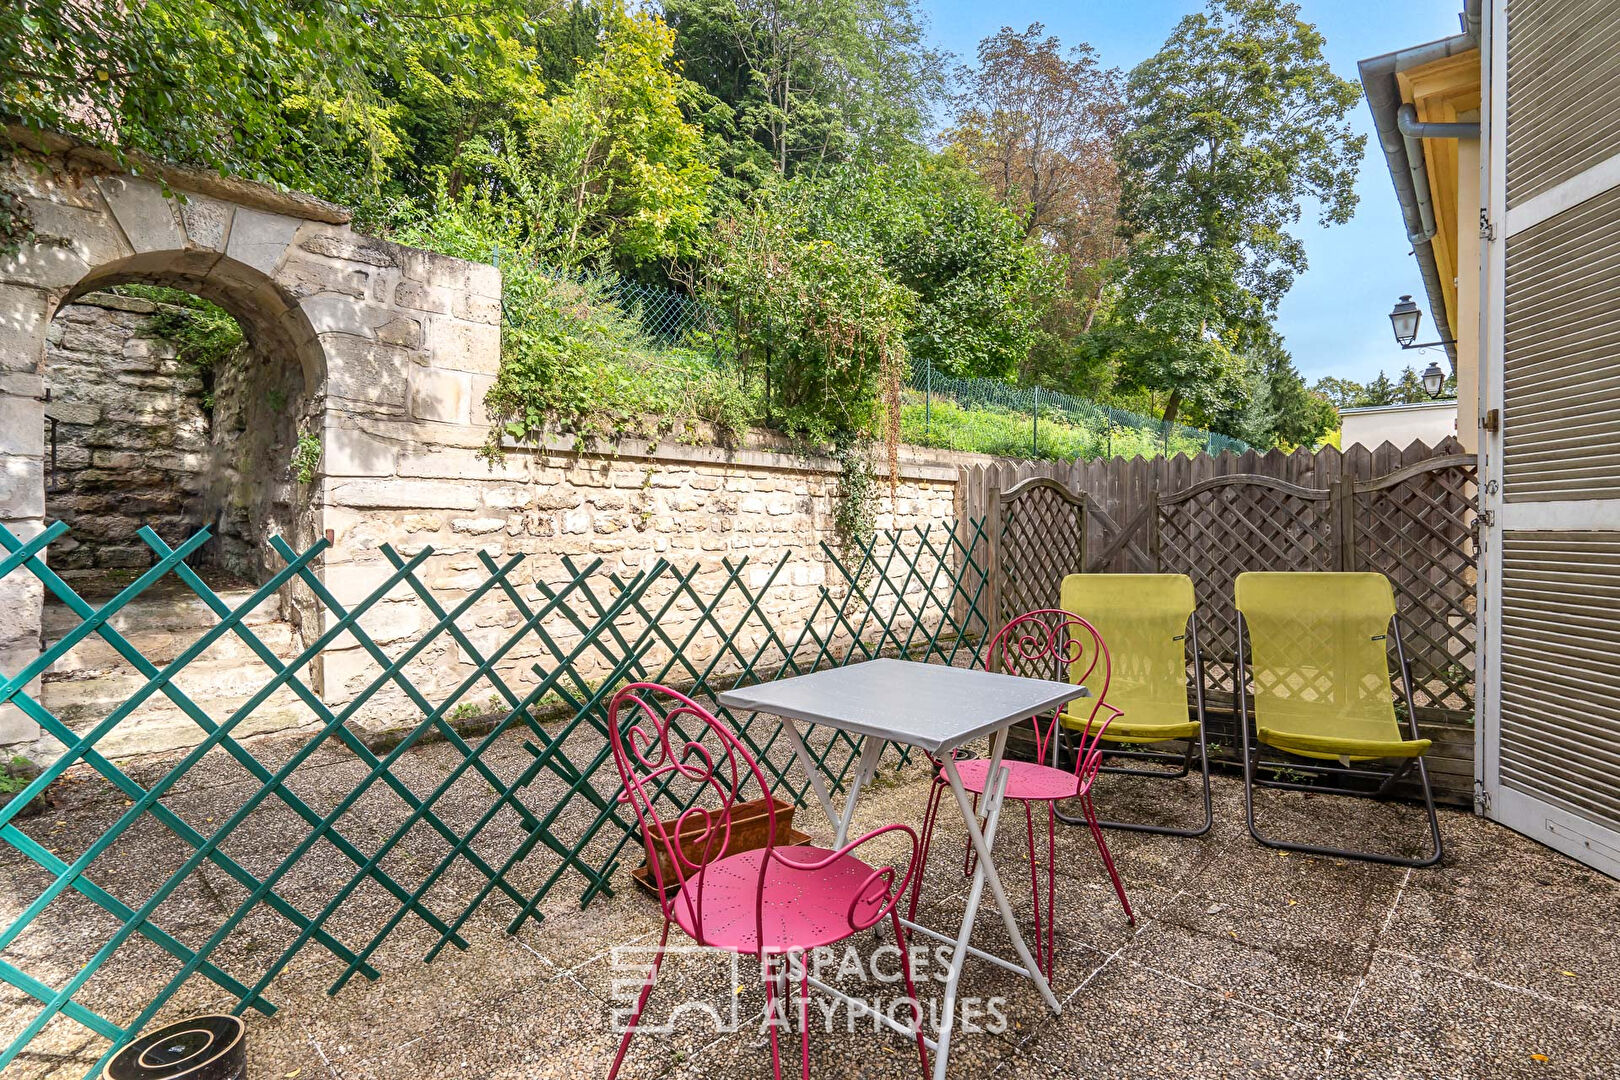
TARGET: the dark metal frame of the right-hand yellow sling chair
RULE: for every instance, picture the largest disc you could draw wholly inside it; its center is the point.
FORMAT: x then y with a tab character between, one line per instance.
1251	763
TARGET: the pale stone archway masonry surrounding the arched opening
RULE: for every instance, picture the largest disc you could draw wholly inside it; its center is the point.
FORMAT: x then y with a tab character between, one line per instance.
393	342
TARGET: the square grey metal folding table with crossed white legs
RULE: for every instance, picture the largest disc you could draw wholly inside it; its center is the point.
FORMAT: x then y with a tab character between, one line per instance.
934	708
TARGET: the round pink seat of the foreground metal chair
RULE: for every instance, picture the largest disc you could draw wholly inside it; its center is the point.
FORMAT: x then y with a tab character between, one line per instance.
804	909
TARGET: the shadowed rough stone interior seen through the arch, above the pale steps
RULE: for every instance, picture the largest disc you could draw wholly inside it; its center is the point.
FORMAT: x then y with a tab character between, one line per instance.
166	412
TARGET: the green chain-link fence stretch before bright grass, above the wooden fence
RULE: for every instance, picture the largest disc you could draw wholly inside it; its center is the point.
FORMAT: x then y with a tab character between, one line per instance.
995	417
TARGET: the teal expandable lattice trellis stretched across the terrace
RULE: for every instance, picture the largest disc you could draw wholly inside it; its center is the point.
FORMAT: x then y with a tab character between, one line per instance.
914	593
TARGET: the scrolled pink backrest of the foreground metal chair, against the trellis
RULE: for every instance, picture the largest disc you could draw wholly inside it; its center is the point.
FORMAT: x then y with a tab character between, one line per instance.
675	755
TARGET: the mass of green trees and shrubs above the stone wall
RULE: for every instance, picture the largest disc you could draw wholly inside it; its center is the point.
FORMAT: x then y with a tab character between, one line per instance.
1125	239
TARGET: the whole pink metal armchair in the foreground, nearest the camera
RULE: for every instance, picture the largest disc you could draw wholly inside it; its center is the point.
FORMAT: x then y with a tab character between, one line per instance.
769	903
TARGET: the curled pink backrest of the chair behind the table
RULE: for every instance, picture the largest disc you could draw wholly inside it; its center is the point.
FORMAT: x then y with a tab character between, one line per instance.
1062	647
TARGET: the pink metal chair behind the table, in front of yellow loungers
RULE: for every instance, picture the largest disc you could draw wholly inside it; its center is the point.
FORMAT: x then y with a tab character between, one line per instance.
1062	647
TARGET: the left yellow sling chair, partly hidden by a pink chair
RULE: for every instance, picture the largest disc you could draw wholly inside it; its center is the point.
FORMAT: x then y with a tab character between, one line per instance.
1148	621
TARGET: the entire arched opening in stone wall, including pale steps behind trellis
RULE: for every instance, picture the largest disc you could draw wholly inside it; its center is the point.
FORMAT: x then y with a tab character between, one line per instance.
182	389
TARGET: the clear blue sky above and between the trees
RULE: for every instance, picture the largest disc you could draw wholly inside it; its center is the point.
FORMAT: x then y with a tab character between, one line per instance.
1337	317
